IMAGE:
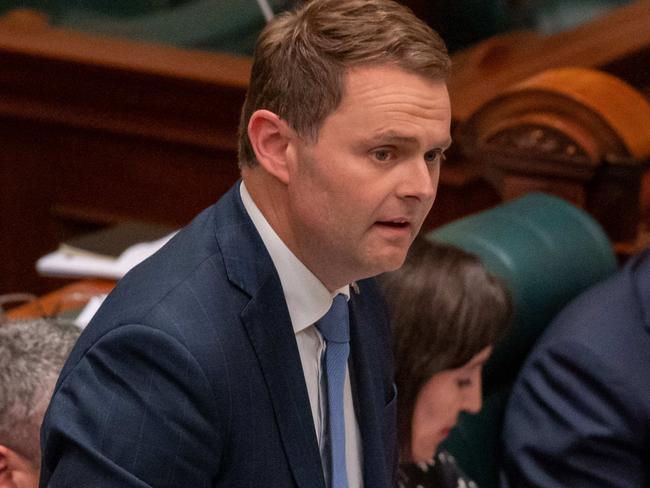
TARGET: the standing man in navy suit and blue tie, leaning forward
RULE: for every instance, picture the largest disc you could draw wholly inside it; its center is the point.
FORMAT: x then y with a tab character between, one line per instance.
205	365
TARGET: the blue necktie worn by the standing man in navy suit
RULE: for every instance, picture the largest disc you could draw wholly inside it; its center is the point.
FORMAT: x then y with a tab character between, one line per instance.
335	328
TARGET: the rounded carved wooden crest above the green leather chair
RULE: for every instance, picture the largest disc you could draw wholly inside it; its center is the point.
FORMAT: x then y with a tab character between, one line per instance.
579	133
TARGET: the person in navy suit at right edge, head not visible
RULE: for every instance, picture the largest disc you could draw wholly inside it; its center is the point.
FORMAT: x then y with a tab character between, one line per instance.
579	411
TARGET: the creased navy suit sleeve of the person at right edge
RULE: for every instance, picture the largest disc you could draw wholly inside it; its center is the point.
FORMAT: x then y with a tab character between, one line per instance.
571	422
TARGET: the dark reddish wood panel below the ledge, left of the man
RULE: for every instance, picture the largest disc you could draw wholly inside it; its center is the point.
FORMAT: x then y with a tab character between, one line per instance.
57	182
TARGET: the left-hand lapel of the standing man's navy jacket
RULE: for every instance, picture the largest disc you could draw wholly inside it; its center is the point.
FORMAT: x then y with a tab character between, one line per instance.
268	324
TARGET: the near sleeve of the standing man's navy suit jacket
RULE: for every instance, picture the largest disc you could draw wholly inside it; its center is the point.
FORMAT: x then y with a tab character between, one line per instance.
135	410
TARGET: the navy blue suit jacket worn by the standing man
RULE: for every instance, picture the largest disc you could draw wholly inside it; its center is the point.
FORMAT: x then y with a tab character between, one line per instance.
189	375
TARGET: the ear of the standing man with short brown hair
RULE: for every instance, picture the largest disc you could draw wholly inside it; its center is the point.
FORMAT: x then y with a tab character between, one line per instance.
271	137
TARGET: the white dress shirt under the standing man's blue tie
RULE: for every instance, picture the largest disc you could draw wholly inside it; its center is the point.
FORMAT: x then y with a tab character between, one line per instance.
308	300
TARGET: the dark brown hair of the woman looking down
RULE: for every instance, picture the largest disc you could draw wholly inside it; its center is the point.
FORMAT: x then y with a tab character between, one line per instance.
445	308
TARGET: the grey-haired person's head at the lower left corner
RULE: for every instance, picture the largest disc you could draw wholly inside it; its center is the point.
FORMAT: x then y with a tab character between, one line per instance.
32	353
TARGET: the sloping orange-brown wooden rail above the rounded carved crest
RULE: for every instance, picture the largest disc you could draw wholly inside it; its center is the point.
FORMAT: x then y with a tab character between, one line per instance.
618	42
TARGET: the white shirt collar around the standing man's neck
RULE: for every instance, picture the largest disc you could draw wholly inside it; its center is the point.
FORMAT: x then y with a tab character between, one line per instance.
306	296
